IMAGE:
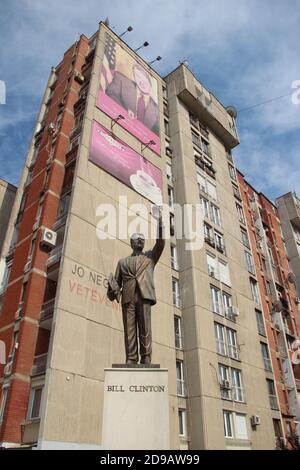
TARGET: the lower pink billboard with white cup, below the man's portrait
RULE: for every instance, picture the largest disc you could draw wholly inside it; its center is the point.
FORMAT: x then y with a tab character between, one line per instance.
115	157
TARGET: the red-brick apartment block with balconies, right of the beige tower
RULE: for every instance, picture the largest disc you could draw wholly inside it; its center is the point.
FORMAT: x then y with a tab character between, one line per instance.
277	313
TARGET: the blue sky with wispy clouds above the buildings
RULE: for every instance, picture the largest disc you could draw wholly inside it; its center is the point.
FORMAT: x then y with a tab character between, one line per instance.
244	51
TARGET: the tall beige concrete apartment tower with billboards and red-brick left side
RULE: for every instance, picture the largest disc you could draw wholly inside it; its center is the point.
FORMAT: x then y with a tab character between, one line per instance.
110	127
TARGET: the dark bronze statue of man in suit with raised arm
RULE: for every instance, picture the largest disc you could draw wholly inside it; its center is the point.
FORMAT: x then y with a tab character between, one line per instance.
134	283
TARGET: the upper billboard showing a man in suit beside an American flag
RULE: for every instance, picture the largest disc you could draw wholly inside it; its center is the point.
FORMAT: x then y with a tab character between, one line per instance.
128	89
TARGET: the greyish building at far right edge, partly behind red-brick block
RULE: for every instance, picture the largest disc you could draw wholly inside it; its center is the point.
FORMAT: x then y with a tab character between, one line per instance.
289	212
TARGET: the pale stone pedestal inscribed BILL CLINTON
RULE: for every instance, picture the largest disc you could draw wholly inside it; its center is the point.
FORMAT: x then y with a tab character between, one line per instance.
136	411
